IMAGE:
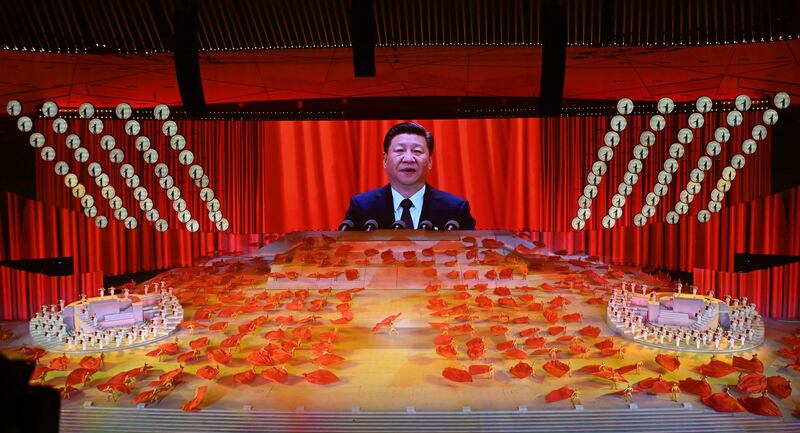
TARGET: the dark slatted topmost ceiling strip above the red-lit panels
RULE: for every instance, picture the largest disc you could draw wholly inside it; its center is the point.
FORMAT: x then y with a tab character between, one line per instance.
140	26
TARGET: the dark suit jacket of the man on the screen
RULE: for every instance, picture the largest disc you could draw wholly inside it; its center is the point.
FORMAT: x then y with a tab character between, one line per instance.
438	207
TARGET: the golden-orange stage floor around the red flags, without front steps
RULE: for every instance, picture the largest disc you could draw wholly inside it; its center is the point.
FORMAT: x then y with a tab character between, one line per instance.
388	372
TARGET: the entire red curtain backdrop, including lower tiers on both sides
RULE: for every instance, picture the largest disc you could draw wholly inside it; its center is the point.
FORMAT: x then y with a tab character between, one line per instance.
299	175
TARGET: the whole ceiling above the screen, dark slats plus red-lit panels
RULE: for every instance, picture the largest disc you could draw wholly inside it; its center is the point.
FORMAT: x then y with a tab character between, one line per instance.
271	55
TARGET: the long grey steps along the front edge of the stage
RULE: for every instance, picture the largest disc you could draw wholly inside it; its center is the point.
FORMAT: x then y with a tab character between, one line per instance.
119	420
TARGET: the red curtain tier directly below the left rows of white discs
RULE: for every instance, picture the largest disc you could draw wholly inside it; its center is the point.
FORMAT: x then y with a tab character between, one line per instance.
37	230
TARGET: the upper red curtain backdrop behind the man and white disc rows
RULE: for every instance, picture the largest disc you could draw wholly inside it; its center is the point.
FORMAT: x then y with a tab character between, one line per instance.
300	175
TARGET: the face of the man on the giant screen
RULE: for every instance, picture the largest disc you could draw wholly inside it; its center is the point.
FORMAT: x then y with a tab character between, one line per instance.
407	160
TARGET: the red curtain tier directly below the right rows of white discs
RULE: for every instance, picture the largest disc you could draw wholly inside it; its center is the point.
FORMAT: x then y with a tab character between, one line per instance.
767	225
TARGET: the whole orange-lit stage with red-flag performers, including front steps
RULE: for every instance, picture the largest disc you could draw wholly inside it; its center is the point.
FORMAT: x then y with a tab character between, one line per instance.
489	285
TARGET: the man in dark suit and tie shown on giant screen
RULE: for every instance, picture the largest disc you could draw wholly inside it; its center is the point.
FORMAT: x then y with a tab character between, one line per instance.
407	152
